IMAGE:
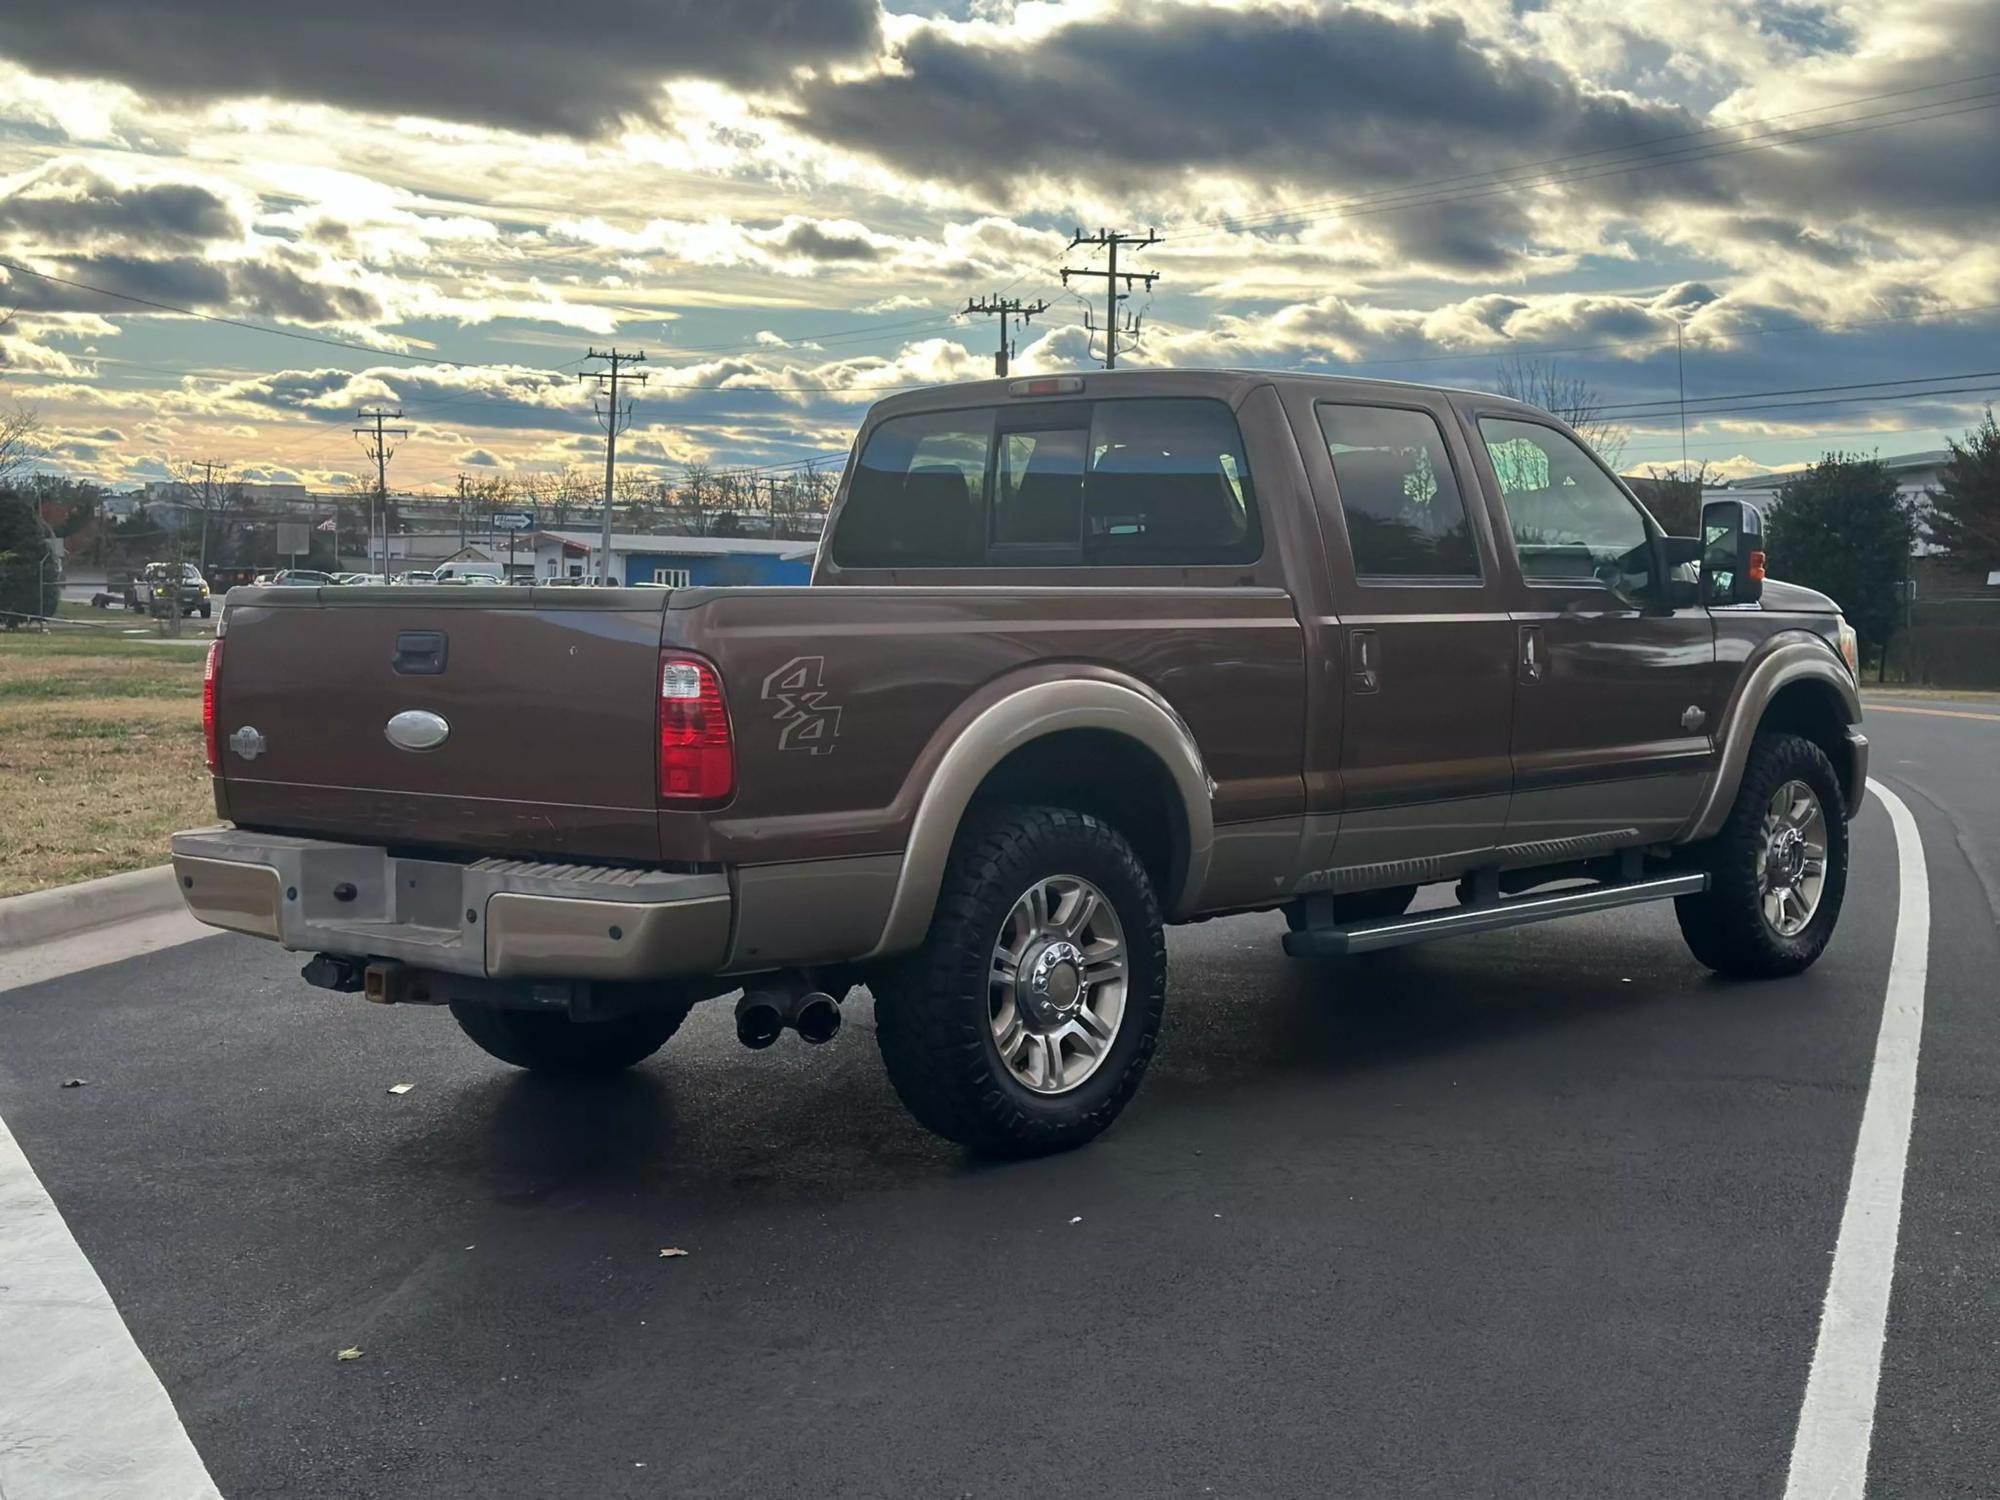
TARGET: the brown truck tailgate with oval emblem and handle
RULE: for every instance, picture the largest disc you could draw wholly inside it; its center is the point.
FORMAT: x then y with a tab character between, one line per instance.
549	701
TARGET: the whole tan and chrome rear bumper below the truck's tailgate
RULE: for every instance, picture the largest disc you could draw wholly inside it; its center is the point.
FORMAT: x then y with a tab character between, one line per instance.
491	919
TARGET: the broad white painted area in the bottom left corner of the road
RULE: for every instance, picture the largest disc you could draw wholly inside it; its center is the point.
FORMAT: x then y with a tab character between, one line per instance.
83	1417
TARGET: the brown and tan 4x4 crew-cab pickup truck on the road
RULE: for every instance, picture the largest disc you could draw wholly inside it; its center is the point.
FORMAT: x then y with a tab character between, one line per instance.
1081	657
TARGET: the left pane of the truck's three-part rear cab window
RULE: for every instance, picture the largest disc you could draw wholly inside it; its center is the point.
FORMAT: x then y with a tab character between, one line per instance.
917	497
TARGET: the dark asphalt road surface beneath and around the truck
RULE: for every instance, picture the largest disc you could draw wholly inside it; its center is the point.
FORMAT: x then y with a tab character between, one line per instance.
1529	1215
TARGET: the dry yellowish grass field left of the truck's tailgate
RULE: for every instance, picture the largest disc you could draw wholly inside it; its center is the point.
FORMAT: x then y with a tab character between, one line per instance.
101	755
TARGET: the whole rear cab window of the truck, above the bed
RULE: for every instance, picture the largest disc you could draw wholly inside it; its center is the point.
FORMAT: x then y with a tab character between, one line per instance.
1125	483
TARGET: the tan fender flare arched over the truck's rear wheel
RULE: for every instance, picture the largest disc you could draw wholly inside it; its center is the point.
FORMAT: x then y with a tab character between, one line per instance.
1007	725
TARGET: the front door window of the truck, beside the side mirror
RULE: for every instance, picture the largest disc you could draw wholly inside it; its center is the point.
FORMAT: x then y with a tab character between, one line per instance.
1571	521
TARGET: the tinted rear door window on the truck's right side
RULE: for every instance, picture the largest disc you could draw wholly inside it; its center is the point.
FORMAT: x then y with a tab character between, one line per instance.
1399	493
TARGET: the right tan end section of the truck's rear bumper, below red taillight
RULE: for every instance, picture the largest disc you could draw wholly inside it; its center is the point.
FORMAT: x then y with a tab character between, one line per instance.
605	941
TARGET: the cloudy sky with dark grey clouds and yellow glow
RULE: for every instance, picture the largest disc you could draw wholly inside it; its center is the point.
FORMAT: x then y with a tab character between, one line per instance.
785	203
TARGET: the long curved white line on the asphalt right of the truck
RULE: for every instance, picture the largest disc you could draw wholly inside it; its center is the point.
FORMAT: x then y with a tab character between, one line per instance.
1837	1423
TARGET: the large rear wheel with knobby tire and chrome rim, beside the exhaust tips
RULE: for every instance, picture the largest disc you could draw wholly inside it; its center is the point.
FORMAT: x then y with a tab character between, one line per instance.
1027	1019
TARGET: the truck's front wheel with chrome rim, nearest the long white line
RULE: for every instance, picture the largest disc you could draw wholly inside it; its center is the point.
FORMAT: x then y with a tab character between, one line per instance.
1779	869
